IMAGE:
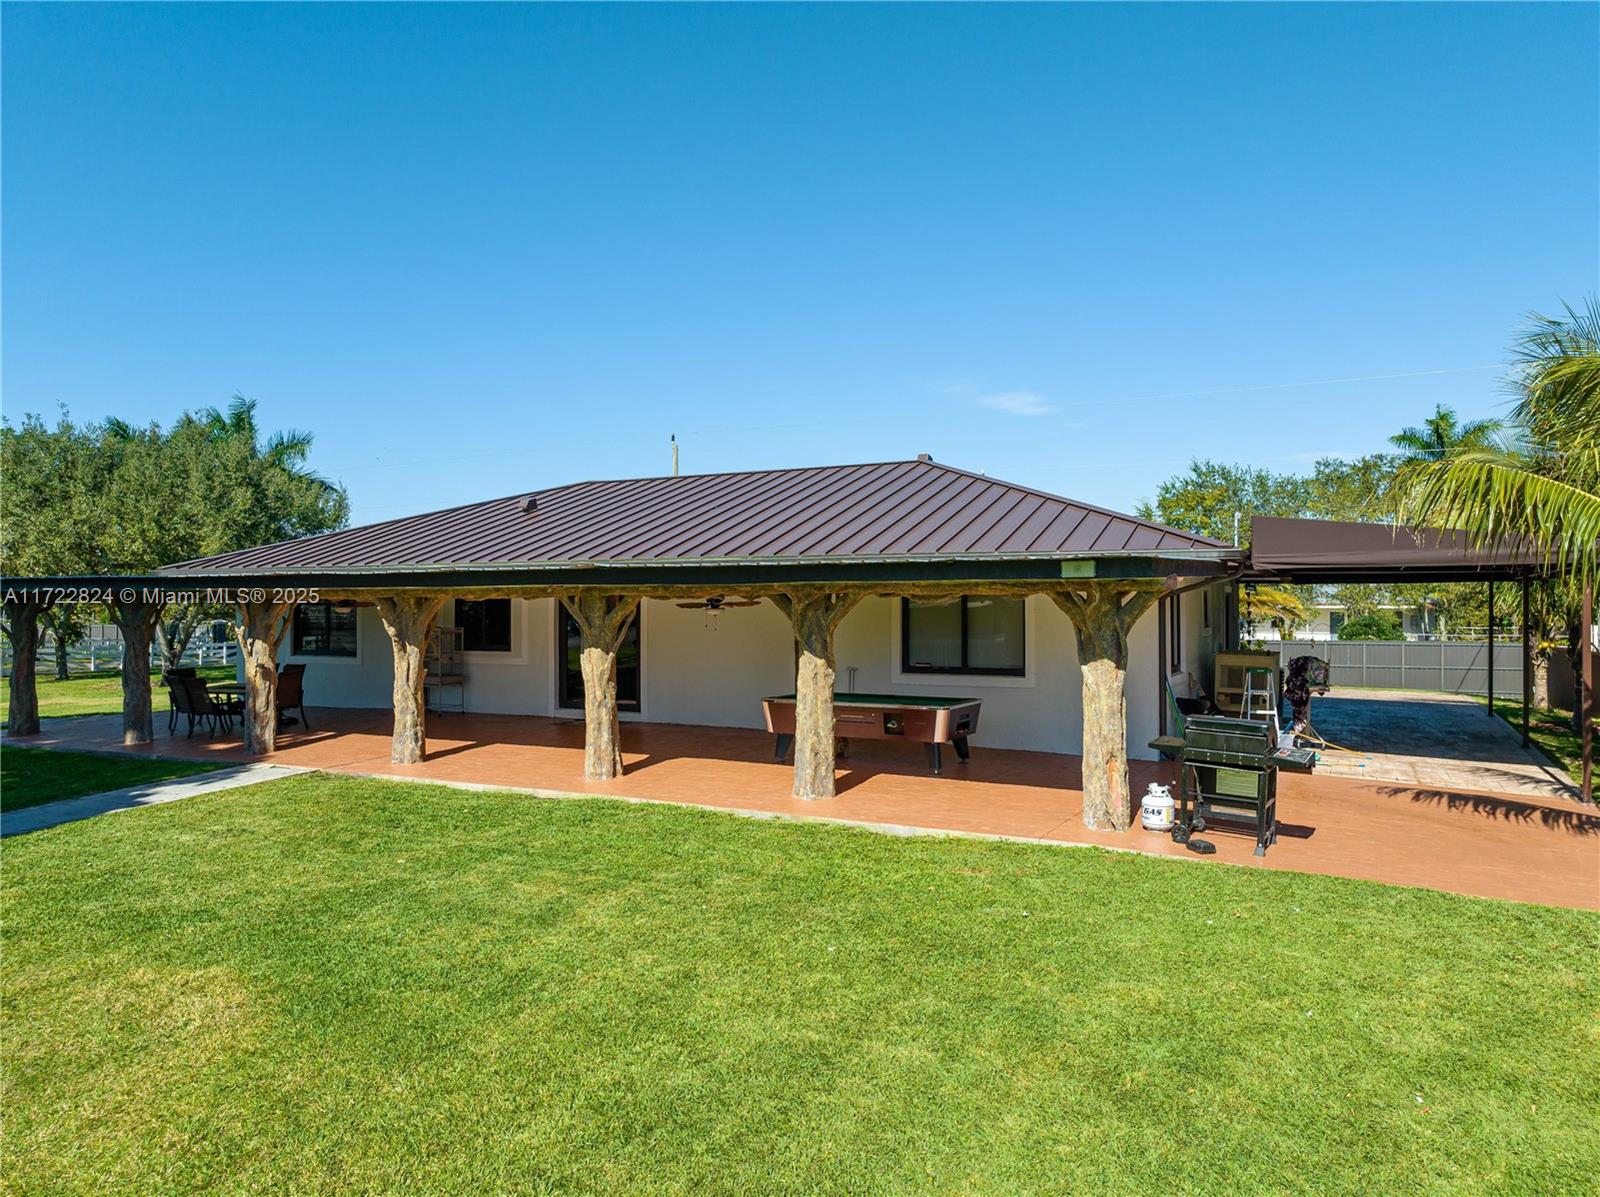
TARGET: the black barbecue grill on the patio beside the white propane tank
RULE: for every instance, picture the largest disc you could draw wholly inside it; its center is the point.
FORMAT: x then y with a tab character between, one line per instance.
1231	775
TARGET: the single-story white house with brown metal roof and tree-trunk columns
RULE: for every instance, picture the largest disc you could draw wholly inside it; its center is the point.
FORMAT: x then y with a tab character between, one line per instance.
692	599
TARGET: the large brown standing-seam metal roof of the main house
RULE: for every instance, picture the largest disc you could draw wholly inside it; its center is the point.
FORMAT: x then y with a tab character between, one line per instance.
838	513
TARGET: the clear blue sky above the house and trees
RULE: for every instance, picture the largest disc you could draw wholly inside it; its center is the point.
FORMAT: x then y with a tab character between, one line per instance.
482	250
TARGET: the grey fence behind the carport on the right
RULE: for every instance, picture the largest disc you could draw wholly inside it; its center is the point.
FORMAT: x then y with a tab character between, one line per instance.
1414	665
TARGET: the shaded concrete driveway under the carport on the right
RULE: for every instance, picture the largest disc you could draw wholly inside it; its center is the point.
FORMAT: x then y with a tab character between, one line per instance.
1431	740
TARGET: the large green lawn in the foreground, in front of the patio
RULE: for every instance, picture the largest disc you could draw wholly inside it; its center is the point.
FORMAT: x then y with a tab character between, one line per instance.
351	987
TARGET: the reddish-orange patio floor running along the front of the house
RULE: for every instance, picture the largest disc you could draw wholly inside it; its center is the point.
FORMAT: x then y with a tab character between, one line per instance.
1519	847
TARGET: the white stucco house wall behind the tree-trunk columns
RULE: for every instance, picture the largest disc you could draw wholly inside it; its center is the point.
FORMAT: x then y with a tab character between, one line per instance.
716	670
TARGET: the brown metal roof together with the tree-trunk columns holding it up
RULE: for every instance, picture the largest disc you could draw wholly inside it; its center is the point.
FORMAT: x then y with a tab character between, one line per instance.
814	545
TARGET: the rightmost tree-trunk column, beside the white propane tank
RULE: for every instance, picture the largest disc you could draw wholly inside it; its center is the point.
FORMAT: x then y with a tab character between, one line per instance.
1103	614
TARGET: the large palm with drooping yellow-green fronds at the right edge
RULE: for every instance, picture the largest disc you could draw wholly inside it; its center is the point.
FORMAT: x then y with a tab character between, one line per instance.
1545	486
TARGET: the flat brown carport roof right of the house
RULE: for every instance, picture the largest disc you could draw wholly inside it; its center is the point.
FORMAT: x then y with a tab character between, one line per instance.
1326	551
